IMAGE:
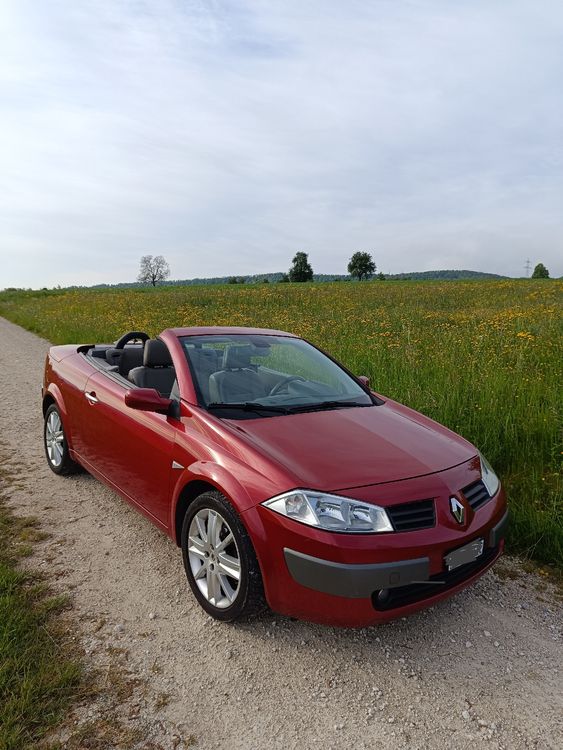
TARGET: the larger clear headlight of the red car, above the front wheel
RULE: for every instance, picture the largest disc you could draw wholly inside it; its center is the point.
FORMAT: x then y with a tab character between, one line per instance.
330	512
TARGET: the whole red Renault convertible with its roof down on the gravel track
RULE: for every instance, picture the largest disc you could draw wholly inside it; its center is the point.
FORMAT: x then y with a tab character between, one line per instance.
284	479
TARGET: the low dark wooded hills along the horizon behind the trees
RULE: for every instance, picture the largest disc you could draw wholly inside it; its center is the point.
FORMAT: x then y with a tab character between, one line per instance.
277	276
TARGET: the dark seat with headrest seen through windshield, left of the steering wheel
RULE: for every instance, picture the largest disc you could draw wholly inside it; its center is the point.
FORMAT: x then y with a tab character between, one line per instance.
238	380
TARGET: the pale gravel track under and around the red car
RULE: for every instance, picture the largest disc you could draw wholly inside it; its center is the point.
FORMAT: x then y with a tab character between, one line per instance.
485	666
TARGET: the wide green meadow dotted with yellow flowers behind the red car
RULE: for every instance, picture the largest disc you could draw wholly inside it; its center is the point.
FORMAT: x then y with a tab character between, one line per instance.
484	358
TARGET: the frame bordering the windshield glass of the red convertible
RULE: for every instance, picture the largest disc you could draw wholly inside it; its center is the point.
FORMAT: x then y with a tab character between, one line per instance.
231	413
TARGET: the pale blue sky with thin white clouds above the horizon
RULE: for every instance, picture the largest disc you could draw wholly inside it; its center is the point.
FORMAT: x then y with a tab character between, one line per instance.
226	136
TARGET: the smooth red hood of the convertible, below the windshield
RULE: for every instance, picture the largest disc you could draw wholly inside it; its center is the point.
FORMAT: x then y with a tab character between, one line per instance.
345	448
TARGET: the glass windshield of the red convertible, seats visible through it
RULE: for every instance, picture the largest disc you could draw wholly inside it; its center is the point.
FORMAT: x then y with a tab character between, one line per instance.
259	375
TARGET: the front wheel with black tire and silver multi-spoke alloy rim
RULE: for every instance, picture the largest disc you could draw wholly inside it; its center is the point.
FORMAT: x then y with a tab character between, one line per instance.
220	561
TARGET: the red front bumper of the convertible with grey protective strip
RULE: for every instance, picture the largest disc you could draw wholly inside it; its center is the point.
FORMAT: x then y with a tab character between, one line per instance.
359	580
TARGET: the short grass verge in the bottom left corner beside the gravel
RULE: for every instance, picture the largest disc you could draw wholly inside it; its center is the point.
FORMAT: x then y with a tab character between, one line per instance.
40	675
